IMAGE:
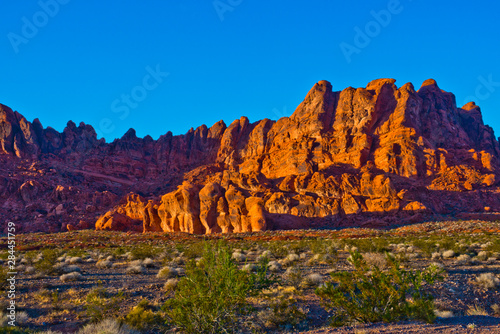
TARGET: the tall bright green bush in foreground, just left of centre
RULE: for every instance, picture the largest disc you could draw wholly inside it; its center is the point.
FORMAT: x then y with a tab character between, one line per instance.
211	297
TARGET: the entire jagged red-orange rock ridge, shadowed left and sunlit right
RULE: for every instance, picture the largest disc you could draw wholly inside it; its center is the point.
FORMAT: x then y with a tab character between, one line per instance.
373	156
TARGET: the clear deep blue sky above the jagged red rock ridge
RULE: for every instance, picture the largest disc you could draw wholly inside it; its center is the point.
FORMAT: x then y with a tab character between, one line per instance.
229	58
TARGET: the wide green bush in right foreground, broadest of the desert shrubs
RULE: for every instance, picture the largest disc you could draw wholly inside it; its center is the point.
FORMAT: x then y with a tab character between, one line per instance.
368	294
